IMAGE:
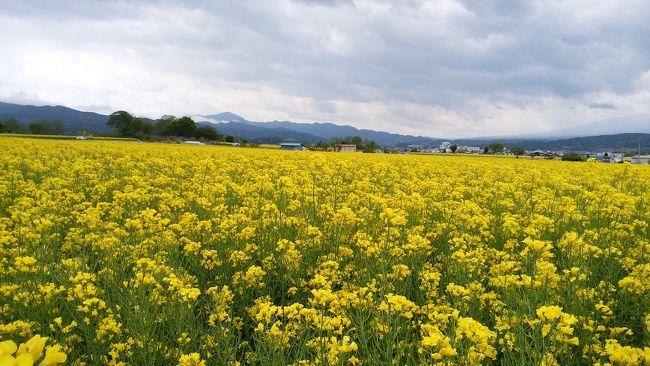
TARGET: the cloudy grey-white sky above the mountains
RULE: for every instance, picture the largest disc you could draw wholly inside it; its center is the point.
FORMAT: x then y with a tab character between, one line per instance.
439	68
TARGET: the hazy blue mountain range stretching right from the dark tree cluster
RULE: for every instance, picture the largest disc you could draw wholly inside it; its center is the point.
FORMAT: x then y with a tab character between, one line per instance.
604	135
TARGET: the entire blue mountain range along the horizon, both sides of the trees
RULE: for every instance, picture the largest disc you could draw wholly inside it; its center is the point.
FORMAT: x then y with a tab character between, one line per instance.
619	134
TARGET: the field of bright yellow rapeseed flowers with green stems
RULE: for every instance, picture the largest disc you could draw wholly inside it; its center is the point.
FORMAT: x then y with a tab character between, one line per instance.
153	254
